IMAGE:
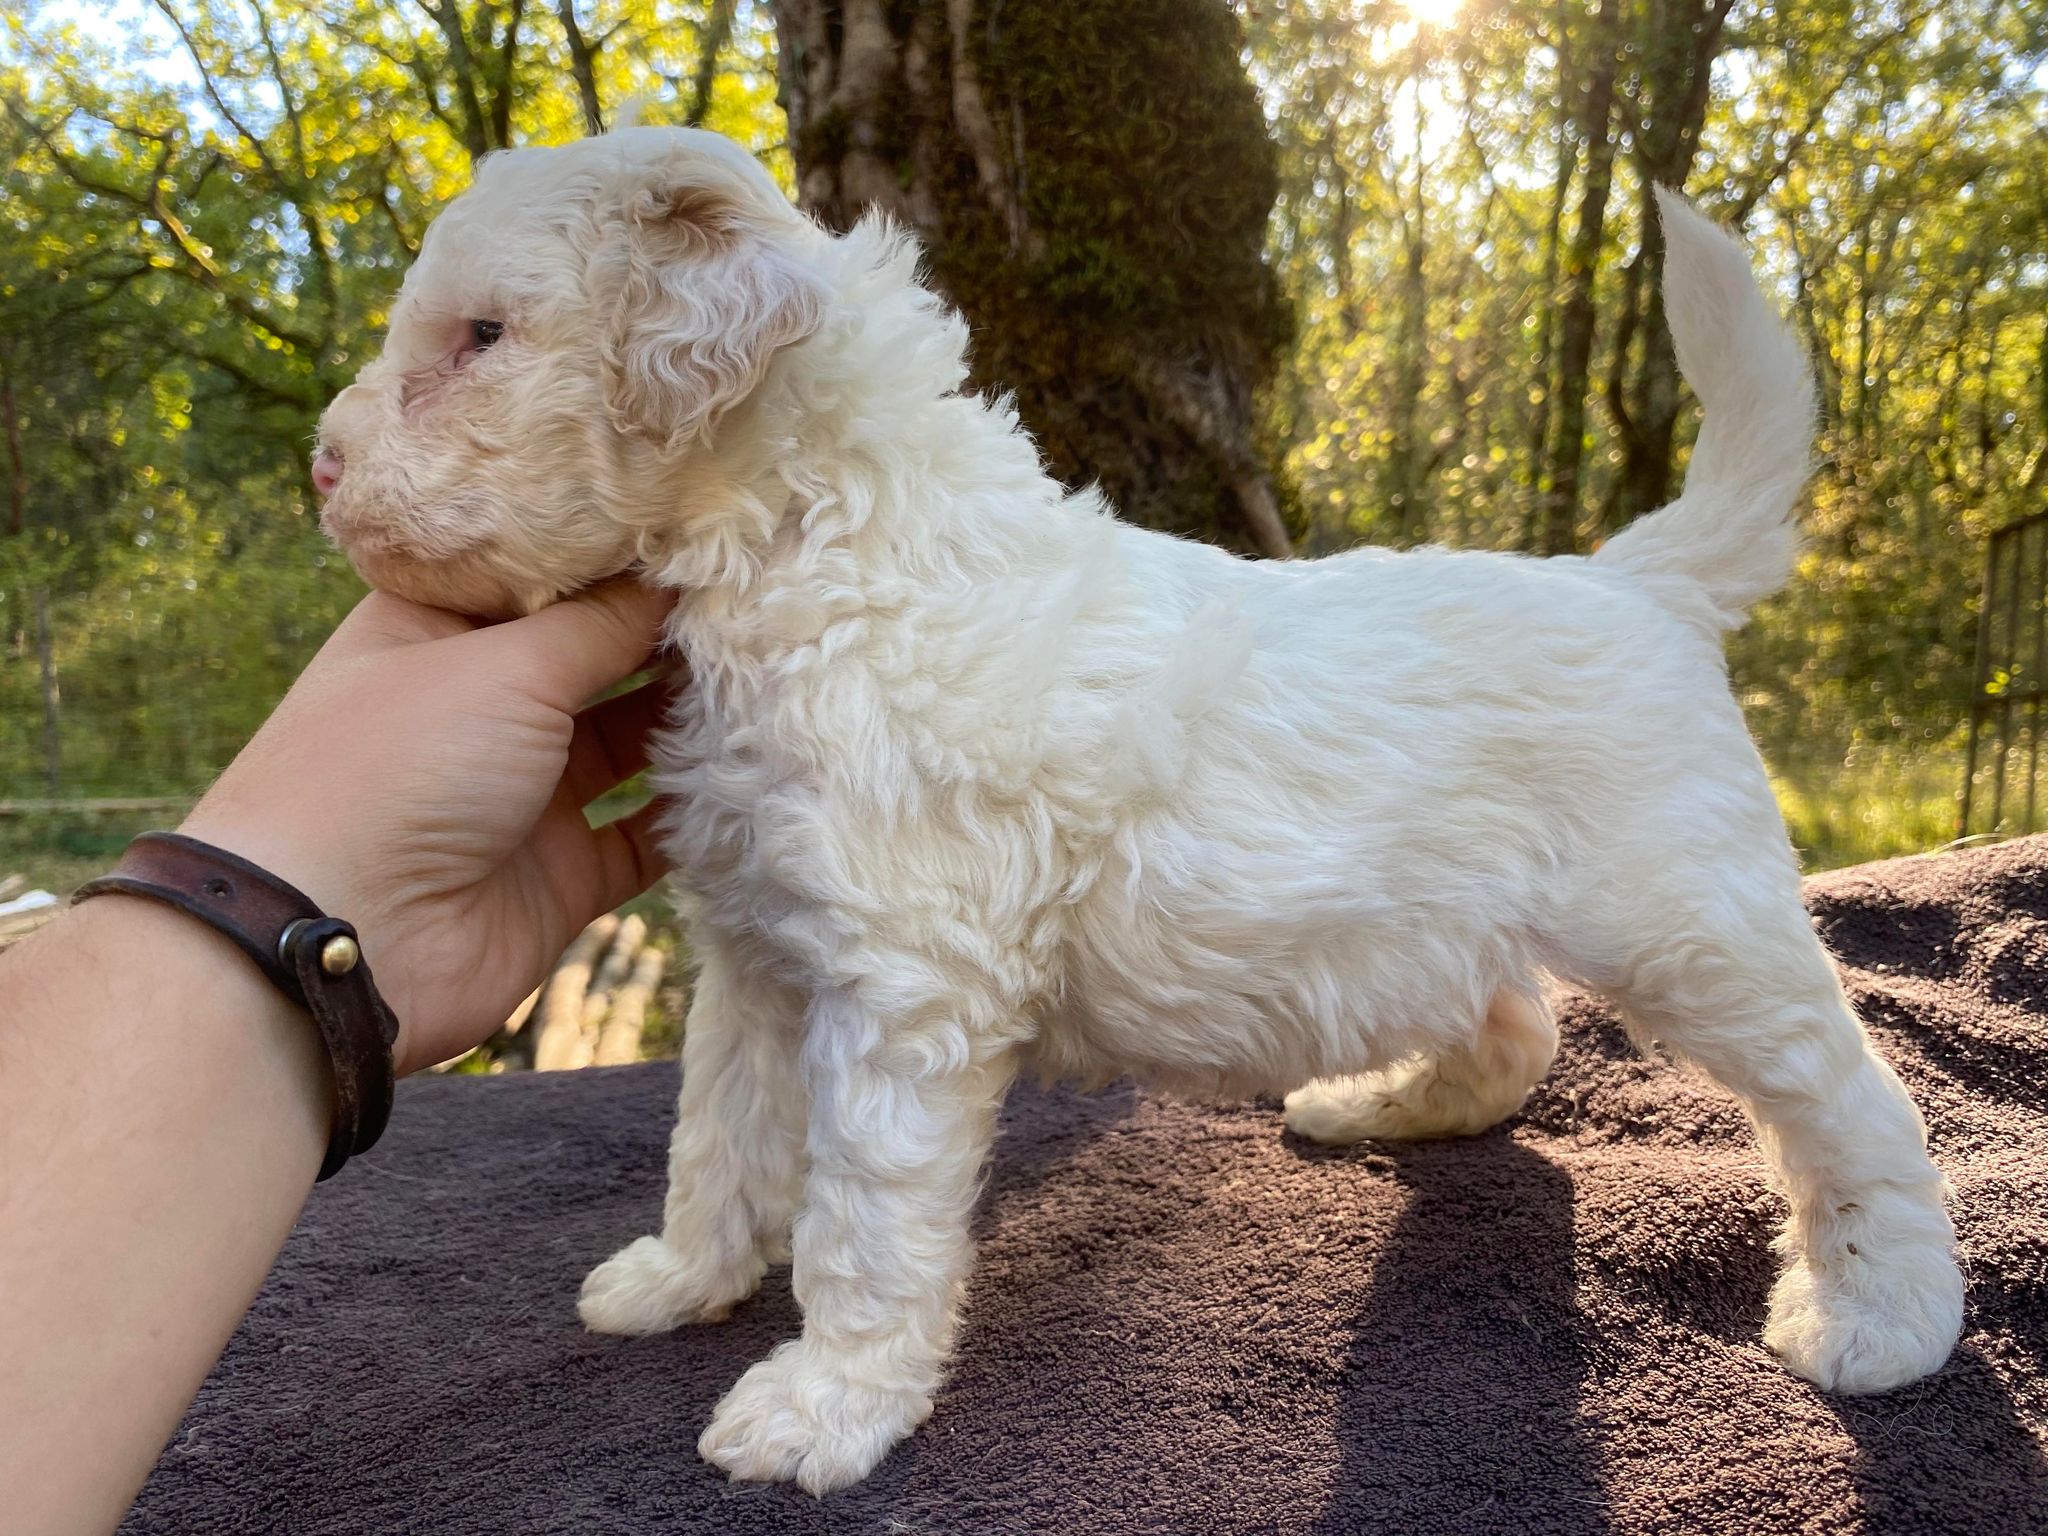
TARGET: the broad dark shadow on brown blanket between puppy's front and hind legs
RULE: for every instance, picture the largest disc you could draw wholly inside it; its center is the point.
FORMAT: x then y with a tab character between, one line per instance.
1469	1320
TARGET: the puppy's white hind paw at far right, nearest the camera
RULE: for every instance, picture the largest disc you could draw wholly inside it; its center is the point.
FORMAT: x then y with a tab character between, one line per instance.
1871	1322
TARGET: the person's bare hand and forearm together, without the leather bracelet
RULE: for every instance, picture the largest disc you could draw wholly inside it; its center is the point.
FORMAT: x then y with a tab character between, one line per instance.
163	1109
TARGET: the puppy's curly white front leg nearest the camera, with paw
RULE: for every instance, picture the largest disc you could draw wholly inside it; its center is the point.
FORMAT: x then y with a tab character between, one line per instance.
900	1129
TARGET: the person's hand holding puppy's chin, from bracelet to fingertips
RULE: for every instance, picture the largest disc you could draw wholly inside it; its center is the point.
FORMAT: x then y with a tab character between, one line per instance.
425	781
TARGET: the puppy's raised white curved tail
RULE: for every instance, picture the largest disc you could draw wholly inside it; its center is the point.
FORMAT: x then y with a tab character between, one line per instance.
1730	536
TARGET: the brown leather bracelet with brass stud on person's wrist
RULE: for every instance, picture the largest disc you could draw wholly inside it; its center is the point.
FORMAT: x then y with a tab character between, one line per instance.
310	957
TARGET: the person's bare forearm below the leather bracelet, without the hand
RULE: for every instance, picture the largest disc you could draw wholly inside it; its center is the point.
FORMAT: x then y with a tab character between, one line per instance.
163	1113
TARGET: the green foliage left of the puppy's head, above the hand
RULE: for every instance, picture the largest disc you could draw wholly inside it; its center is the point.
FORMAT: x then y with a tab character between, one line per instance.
198	241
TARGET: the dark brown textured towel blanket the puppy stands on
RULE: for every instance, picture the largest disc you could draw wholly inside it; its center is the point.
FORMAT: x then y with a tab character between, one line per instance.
1189	1322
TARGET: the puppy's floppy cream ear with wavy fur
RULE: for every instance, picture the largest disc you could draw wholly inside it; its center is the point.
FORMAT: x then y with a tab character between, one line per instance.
710	292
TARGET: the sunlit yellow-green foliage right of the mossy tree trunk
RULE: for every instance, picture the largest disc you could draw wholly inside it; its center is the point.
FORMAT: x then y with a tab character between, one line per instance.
1887	163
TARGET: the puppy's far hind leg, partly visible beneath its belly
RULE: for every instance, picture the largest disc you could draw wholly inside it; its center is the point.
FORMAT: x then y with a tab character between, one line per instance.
1453	1095
